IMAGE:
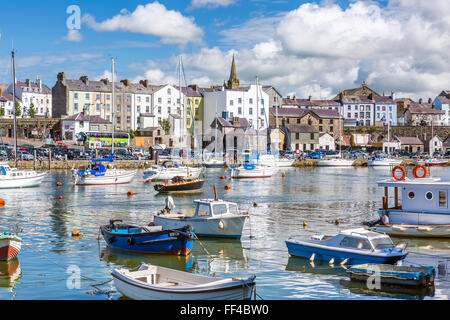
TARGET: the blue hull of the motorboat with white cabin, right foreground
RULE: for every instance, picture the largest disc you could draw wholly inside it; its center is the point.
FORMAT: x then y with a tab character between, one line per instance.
320	253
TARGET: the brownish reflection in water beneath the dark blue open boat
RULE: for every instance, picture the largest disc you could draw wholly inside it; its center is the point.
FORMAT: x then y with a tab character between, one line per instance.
133	261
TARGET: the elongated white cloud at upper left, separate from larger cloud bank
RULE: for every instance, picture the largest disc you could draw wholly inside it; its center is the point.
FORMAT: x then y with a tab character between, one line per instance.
152	19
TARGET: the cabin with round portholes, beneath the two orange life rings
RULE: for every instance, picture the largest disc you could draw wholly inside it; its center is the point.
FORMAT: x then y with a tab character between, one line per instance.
424	200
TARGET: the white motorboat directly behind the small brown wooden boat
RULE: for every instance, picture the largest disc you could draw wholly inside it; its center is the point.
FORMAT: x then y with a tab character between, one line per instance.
169	170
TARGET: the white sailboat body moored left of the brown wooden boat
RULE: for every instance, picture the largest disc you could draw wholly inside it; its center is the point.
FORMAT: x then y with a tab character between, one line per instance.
112	176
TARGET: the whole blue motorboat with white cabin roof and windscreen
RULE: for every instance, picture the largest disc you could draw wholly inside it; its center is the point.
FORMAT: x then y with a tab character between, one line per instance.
353	246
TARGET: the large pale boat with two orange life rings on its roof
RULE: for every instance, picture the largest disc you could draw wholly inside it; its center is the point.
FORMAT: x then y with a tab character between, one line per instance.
420	209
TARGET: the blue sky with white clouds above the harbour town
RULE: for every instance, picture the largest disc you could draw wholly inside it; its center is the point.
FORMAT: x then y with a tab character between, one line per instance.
304	47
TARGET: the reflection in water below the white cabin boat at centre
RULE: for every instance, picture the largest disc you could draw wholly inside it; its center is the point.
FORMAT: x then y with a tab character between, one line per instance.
225	256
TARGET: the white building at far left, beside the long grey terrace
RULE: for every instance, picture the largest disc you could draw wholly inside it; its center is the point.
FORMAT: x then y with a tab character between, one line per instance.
38	95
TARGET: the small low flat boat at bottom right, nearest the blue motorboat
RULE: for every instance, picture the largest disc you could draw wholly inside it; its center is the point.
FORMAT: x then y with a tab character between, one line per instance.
394	275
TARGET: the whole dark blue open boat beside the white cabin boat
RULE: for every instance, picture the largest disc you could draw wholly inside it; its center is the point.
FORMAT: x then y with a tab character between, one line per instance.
150	239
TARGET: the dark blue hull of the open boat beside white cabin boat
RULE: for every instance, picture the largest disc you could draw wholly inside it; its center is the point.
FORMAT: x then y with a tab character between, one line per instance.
163	242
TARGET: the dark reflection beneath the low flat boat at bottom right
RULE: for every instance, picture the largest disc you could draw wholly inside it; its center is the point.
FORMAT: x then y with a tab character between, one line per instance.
388	291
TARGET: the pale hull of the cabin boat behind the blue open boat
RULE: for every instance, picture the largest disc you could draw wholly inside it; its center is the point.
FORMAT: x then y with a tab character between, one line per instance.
231	226
